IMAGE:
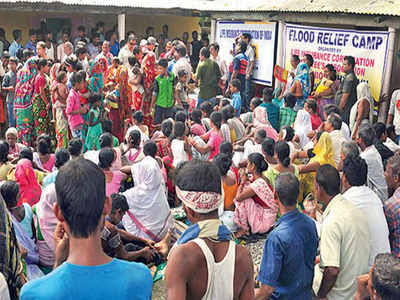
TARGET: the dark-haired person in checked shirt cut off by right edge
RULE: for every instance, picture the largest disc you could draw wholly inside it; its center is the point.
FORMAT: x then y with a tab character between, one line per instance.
392	205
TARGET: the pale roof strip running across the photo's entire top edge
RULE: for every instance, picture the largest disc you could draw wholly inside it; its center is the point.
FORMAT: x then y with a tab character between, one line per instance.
375	7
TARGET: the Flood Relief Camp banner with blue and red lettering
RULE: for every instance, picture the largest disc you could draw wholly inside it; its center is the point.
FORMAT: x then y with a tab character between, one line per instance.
330	46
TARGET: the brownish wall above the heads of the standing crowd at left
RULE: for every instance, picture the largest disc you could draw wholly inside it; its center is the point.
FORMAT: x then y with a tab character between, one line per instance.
138	23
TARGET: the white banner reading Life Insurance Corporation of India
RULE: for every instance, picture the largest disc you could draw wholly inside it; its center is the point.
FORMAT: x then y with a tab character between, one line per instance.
263	40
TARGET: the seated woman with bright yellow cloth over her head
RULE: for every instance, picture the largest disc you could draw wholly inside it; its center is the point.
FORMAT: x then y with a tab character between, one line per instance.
321	154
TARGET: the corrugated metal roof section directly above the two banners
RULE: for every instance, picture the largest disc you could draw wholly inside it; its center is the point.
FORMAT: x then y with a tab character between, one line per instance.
375	7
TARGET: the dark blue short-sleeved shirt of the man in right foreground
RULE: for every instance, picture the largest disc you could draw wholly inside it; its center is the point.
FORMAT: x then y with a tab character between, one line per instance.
289	255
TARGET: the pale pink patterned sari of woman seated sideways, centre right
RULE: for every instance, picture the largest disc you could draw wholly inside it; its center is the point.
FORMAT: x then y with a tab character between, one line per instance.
250	215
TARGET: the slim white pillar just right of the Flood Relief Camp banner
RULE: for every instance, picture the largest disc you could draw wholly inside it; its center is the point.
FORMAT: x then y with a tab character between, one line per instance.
384	106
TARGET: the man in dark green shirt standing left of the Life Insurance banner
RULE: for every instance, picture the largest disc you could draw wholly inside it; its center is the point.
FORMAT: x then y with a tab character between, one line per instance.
208	75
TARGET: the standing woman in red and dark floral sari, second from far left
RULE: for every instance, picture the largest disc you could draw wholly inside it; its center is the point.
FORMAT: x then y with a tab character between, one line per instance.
42	100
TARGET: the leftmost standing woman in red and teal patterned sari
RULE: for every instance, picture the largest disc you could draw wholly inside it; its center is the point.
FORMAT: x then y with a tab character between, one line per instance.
23	101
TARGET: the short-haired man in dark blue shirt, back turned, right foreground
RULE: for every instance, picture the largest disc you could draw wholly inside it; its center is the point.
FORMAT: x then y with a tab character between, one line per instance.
290	248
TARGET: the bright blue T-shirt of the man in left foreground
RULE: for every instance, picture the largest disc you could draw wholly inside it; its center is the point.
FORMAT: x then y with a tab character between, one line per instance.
115	280
